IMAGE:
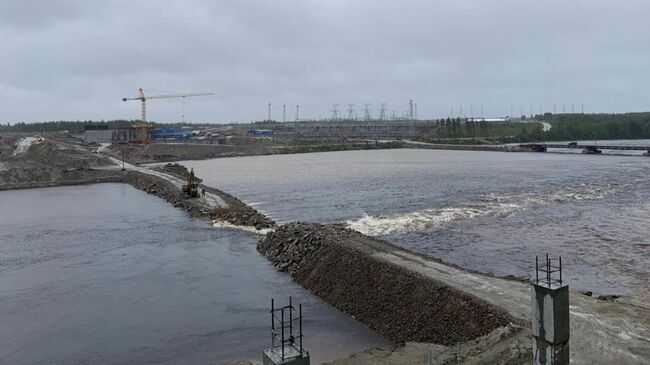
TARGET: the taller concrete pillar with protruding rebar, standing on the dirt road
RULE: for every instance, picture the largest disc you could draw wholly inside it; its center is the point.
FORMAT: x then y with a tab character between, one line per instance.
550	317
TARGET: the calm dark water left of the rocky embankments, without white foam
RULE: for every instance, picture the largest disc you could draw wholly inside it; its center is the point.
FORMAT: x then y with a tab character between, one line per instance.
106	274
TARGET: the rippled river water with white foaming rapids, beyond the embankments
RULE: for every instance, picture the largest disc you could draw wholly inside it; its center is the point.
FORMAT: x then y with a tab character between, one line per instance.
488	211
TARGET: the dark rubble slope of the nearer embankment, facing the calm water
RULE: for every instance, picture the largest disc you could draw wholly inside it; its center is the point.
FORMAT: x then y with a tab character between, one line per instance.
338	265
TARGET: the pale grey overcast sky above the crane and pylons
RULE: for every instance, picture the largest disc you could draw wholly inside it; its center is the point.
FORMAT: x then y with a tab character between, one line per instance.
75	60
